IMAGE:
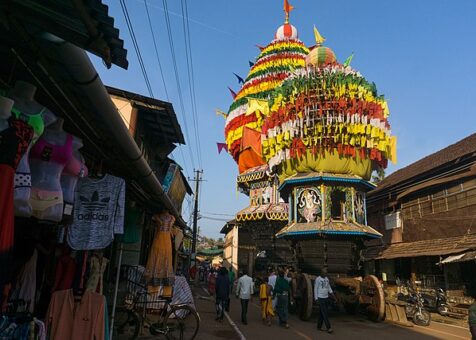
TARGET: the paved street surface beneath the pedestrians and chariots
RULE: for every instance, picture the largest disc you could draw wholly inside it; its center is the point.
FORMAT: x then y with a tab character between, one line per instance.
345	326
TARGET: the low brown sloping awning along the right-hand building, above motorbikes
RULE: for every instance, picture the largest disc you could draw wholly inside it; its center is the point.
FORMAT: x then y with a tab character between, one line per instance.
435	247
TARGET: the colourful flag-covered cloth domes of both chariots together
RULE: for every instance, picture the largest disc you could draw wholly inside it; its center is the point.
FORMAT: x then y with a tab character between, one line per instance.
302	111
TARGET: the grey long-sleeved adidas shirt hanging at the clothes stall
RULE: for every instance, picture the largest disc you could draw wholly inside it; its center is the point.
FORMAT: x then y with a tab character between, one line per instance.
98	212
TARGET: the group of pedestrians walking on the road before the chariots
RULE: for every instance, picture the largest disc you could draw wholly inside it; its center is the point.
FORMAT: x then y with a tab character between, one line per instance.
274	295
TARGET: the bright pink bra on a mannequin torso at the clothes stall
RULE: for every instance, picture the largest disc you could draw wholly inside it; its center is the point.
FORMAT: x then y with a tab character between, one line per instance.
47	152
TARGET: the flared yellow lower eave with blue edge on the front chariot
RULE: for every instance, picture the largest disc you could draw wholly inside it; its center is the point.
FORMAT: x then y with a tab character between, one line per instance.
328	228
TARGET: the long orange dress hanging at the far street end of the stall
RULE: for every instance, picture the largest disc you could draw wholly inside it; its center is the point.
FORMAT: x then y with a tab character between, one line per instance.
159	270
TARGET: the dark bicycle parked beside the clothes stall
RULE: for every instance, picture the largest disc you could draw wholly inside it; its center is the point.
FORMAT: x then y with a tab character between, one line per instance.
178	321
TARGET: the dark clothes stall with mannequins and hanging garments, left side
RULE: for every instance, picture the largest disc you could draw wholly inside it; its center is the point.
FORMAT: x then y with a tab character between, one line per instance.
75	189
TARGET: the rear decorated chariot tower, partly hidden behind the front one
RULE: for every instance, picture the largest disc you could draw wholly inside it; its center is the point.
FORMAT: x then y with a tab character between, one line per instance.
266	214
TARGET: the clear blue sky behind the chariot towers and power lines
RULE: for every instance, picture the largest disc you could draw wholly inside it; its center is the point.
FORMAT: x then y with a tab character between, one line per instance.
419	53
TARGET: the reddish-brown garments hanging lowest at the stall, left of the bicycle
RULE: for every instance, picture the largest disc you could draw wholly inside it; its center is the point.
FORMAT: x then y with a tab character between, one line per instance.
67	319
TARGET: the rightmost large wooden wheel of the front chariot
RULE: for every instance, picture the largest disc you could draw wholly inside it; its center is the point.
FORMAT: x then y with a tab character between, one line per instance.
372	295
